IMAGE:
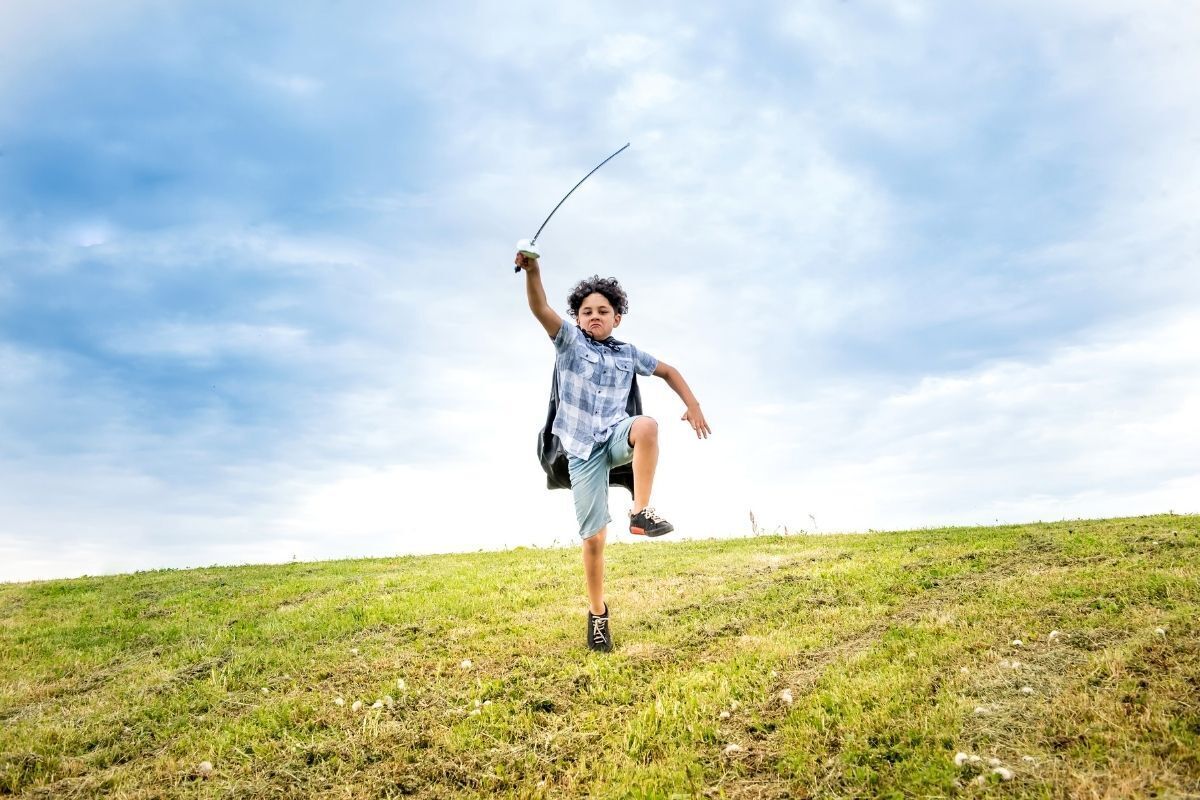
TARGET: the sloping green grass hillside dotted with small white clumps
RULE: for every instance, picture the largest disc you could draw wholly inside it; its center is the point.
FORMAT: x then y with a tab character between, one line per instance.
122	687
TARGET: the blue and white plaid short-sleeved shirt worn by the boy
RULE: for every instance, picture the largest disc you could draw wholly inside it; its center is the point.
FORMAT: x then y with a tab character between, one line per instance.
593	388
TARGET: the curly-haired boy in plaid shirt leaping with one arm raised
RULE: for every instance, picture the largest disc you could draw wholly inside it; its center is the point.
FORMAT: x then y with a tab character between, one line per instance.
595	375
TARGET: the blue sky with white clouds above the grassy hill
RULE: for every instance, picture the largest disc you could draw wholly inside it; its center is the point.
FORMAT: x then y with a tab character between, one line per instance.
923	264
